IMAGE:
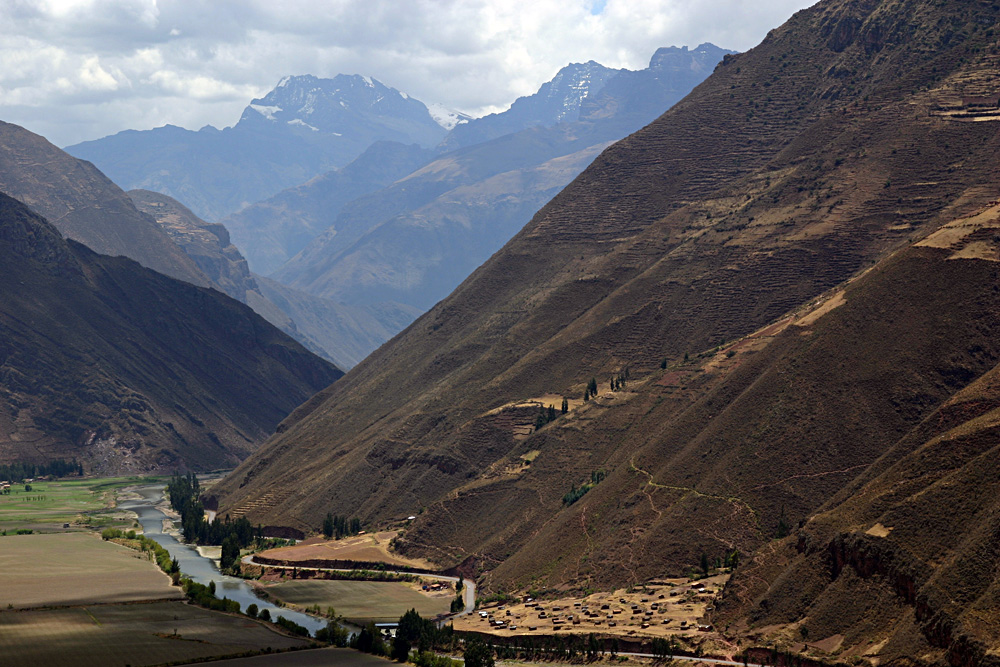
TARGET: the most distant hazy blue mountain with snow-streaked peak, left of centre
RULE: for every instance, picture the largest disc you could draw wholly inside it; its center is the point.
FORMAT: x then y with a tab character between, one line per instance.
303	127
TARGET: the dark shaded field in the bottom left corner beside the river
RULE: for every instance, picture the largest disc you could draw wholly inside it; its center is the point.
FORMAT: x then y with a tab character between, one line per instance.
130	634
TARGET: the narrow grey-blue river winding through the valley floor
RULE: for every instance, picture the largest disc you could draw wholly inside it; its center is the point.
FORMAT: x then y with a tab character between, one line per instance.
200	569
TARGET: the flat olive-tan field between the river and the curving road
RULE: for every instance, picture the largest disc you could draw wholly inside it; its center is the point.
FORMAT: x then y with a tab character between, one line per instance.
381	601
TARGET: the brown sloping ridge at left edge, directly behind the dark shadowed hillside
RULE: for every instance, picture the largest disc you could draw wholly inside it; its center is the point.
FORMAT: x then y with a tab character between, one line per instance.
84	205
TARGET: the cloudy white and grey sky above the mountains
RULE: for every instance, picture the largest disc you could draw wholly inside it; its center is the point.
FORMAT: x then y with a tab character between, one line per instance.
74	70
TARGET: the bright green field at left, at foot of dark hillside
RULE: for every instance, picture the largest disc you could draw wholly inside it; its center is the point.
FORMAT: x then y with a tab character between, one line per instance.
50	505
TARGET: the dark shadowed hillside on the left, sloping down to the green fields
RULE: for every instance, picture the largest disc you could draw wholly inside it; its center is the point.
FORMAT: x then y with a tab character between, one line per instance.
128	370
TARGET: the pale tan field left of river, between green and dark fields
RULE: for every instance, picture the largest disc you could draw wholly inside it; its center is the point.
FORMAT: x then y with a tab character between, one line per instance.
75	568
